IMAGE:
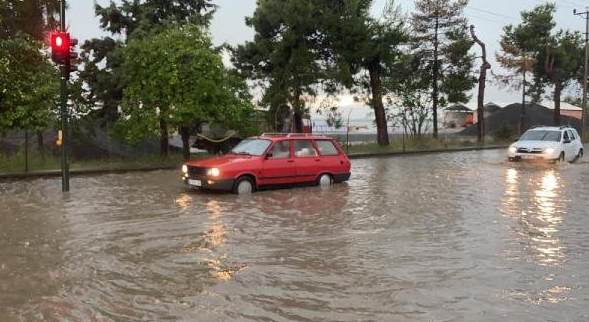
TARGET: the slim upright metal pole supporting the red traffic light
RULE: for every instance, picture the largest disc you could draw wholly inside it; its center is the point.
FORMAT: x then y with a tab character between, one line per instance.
65	172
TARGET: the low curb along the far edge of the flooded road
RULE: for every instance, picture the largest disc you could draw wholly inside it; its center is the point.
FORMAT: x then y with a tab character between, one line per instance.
85	172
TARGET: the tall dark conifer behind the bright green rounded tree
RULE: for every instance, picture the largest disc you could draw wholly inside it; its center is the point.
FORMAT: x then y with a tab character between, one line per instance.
103	58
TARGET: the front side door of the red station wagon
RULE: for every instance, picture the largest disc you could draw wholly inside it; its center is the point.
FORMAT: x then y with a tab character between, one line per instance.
278	167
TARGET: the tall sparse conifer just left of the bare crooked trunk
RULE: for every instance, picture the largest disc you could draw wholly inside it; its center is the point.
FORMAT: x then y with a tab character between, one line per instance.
441	32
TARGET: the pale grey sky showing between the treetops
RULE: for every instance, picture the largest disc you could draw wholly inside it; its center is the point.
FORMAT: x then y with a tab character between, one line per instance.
488	16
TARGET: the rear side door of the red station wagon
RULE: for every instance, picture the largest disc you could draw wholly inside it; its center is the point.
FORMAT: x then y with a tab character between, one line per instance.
307	160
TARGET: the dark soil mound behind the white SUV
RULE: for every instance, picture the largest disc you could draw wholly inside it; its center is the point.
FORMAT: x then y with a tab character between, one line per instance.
509	116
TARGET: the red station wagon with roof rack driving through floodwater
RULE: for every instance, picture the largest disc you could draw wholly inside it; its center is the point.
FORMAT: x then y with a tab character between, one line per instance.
270	160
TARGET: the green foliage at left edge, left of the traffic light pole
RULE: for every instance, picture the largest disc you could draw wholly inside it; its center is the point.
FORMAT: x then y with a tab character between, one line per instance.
28	86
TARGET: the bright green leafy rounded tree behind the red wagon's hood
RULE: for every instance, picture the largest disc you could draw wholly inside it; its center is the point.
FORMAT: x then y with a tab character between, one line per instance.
173	78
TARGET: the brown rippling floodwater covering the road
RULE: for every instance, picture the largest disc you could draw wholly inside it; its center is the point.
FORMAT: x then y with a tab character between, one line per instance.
444	237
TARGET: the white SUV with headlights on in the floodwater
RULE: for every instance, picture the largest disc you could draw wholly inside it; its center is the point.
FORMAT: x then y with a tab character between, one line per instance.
547	143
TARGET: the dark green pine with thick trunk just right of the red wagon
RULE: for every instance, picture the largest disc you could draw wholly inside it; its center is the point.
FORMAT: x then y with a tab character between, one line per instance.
362	43
